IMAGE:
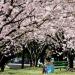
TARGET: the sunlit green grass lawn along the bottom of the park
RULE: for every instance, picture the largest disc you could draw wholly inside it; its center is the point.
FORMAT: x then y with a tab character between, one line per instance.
34	71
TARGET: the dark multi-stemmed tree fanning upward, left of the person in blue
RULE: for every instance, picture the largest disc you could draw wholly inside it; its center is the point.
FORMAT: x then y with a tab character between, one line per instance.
34	49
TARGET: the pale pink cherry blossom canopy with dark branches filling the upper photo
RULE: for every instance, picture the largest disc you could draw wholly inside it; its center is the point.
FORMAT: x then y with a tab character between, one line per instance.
29	19
